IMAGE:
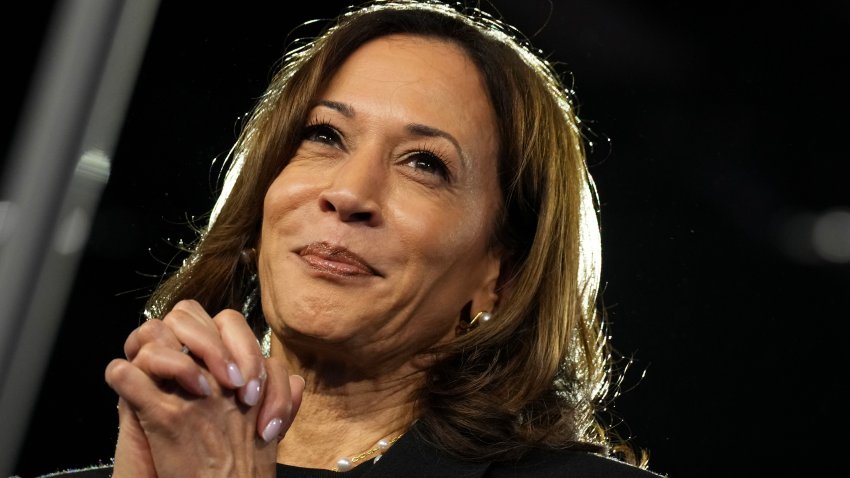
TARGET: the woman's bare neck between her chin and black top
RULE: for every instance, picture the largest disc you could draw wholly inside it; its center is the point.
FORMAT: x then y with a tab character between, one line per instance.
343	413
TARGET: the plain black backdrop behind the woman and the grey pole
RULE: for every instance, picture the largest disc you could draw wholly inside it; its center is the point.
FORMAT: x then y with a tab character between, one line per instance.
720	132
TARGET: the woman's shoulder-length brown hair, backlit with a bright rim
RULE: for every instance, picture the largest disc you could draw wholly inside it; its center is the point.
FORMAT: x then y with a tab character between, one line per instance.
536	375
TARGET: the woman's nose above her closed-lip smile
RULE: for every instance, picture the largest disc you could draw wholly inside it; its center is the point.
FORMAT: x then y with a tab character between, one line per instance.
355	190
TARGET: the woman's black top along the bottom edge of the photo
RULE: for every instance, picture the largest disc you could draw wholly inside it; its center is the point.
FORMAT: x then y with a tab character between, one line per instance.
412	457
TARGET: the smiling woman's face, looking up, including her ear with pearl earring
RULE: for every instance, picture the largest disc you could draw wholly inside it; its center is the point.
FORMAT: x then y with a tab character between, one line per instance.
376	233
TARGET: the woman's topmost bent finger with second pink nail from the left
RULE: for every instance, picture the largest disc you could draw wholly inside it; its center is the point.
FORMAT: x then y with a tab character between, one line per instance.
195	328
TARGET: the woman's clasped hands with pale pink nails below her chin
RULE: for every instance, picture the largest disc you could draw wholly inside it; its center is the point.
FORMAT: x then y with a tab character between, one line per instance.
197	398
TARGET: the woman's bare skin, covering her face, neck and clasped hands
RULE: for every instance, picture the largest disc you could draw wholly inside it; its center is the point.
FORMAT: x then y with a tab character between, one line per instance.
375	238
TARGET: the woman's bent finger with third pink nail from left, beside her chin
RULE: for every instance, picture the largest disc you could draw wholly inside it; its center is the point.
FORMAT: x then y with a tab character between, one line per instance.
240	340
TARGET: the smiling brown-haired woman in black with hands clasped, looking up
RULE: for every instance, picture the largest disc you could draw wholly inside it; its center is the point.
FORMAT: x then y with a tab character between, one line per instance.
409	227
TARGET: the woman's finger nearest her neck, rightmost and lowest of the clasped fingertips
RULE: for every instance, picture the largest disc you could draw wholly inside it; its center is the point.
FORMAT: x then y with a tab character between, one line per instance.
281	401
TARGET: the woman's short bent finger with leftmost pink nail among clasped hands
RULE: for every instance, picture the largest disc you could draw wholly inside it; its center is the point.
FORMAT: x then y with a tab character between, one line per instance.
165	363
